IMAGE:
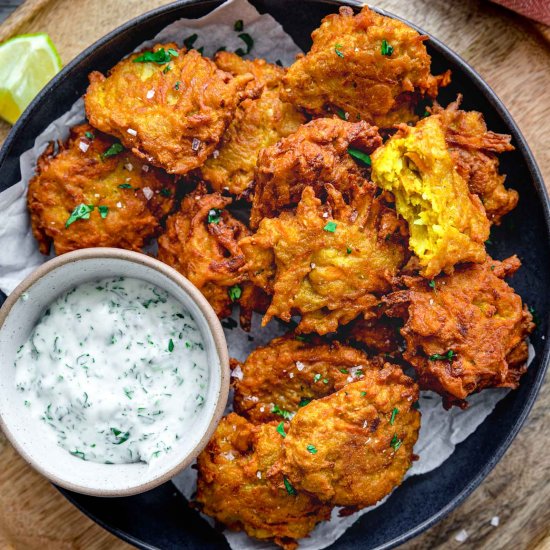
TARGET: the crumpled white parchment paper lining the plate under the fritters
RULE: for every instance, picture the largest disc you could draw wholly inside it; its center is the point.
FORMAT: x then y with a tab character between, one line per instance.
441	430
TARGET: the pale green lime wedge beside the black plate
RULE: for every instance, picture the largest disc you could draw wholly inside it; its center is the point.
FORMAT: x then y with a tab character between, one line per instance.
27	63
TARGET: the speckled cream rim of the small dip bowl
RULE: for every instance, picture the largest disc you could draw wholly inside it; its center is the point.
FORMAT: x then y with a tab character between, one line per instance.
220	350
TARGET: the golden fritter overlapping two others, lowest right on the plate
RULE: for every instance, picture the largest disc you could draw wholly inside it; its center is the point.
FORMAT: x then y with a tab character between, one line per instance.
354	447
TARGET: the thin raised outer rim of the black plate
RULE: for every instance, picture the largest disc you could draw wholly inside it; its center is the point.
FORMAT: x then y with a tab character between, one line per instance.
490	96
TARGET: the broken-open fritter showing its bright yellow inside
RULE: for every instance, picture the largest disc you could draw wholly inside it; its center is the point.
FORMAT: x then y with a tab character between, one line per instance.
447	224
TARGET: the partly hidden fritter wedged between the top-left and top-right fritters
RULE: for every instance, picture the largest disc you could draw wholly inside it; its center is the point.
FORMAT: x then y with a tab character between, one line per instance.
258	123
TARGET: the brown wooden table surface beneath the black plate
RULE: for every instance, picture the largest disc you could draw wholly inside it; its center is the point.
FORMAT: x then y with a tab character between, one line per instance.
513	55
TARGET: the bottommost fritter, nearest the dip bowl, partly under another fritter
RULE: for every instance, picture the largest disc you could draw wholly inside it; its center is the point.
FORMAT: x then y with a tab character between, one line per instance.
238	486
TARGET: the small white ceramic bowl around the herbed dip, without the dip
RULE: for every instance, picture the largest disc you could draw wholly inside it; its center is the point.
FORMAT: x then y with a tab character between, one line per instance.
18	316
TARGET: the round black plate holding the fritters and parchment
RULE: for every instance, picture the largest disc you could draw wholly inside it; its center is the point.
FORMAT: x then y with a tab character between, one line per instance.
161	519
